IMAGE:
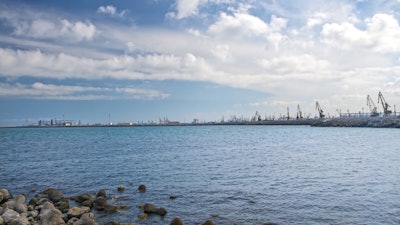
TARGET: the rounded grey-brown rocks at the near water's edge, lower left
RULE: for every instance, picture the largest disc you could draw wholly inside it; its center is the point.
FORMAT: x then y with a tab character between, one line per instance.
51	207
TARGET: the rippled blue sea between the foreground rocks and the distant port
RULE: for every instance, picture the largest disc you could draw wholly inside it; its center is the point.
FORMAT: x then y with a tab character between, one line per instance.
239	174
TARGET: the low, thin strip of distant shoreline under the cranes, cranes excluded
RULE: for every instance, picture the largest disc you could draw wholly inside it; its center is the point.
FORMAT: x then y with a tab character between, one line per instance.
376	122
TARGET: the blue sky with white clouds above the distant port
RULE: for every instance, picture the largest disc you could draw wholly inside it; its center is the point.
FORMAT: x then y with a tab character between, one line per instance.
97	61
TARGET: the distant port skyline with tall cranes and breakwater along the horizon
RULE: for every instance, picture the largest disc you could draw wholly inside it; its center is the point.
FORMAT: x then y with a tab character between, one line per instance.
373	118
